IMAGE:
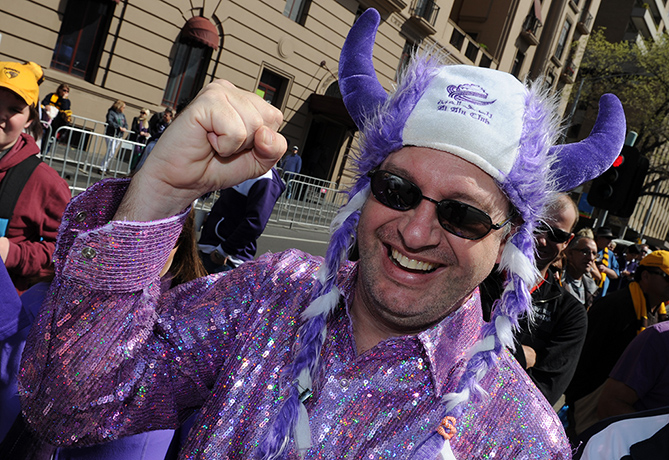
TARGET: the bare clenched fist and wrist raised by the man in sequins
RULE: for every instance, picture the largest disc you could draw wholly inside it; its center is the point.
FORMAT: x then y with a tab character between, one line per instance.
225	136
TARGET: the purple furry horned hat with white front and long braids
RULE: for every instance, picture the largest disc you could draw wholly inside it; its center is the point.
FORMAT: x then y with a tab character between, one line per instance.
488	118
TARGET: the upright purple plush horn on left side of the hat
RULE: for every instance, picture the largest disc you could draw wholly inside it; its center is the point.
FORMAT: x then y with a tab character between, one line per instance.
358	84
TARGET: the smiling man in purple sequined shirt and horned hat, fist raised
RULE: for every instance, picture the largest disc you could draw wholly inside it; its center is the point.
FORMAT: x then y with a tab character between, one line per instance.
295	356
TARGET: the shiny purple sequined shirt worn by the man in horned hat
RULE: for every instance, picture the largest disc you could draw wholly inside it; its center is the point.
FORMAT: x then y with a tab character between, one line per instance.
109	356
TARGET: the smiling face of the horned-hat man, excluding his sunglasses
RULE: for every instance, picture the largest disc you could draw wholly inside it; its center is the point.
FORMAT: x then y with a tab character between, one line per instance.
412	272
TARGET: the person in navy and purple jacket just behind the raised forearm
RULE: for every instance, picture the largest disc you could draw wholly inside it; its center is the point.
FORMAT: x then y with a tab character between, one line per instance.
236	220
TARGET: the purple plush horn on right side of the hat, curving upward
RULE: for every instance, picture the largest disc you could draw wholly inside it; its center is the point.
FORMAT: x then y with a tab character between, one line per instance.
583	161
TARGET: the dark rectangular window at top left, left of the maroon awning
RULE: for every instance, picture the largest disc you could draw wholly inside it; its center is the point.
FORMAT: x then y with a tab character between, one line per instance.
81	37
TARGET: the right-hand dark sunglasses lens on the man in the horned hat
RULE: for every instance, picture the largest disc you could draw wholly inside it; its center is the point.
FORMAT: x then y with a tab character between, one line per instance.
463	220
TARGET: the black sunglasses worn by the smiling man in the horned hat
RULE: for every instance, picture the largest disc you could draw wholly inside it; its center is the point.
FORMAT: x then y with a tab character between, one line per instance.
455	217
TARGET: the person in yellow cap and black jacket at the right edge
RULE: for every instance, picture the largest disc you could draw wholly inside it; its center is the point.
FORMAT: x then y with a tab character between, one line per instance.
613	322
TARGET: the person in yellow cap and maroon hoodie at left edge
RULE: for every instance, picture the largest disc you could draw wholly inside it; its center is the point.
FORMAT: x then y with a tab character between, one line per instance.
28	240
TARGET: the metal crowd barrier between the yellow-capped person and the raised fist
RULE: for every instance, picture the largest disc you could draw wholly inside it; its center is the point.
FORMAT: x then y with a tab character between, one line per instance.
78	155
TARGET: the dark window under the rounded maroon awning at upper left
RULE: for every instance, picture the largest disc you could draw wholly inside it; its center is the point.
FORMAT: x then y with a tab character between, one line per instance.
188	72
